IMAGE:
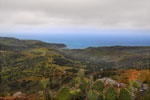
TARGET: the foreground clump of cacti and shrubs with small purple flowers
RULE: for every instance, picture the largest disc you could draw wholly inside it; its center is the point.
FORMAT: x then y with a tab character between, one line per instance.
86	88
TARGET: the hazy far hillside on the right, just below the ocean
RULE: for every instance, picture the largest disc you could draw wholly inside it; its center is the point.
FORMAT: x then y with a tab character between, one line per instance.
112	57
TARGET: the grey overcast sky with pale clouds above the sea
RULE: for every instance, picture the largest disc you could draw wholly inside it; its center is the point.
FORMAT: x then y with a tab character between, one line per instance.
48	15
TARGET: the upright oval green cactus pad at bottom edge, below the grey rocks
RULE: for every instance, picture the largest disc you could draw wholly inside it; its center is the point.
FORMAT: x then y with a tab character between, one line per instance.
111	94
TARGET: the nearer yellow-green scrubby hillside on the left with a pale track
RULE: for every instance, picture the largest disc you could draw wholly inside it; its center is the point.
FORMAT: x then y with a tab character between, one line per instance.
31	66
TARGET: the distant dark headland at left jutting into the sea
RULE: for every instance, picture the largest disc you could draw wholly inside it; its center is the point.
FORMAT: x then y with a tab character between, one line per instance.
19	45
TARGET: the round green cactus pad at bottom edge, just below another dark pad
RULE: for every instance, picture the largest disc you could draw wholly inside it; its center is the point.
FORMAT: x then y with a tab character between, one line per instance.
93	95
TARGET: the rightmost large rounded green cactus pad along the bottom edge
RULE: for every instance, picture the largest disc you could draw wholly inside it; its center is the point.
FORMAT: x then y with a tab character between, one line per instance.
125	94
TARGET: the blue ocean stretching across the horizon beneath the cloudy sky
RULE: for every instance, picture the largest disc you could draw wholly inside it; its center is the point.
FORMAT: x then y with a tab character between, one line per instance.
75	41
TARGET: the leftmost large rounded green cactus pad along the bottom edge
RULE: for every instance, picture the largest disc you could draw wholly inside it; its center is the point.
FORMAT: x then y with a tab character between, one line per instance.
64	94
